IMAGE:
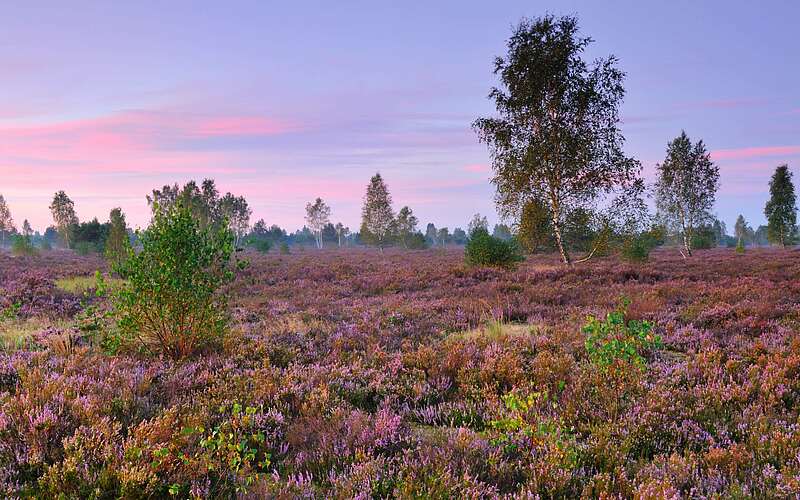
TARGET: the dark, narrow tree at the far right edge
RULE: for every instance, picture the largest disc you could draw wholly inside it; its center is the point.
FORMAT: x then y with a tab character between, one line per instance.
781	209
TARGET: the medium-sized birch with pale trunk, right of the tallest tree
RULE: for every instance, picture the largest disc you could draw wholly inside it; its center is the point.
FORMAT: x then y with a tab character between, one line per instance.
686	188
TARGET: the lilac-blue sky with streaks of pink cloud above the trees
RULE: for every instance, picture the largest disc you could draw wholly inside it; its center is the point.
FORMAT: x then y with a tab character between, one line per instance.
283	102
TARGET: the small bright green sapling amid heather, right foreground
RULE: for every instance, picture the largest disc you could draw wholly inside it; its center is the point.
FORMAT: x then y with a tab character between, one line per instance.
617	339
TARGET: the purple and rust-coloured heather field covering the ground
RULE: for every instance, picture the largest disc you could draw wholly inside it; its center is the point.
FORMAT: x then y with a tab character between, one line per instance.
407	374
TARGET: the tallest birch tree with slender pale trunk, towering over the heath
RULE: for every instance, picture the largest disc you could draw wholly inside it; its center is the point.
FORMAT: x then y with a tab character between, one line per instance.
557	137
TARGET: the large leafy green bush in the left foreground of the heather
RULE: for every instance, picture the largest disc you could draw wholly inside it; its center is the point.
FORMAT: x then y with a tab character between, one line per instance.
172	302
